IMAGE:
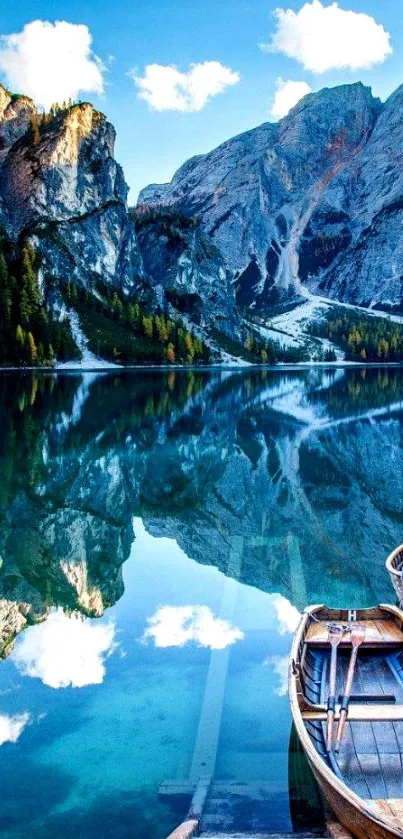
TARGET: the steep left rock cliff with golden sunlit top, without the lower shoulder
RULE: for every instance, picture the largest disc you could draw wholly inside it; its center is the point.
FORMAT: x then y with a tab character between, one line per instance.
63	187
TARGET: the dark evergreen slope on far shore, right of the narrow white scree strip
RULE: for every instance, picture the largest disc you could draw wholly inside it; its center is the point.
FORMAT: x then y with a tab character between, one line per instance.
124	331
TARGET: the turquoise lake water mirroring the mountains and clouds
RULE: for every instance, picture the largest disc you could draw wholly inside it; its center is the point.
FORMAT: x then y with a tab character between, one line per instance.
159	536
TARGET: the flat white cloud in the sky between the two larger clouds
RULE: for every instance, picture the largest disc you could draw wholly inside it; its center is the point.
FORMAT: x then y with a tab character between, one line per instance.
165	88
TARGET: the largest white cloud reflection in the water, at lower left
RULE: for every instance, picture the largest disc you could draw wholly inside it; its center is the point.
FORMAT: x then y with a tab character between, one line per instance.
65	651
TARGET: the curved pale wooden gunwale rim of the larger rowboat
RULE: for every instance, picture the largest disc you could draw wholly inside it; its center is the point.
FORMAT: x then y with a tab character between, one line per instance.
317	763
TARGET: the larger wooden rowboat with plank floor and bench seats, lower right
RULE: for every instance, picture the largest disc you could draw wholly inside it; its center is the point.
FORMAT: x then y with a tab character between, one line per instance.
363	783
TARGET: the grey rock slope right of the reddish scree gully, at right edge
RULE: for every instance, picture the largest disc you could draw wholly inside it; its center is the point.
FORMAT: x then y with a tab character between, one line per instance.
368	198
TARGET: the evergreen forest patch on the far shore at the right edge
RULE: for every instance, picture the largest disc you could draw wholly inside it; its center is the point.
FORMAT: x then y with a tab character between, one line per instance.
364	339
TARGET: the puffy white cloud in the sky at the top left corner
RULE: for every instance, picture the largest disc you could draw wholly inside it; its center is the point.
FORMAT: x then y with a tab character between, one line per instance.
51	62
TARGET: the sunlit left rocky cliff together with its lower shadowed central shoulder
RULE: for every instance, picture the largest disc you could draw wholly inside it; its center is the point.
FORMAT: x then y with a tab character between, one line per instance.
61	189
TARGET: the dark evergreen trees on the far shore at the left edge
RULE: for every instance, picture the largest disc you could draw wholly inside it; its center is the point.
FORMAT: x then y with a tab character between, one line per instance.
29	335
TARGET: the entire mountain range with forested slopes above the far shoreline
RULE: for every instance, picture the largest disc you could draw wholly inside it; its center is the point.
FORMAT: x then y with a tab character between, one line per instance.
241	255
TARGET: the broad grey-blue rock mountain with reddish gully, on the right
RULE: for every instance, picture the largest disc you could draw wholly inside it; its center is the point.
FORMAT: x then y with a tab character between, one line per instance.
315	200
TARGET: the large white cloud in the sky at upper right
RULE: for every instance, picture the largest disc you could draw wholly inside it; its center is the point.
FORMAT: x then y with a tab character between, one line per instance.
323	38
